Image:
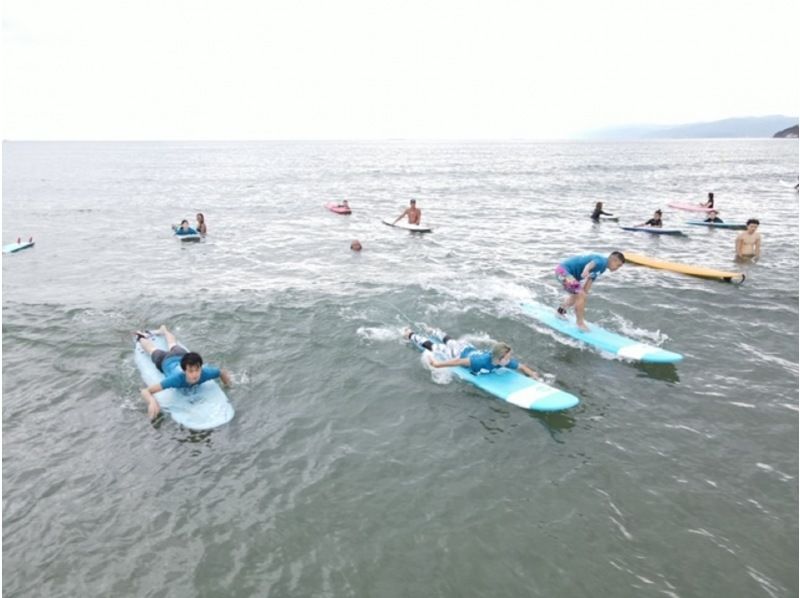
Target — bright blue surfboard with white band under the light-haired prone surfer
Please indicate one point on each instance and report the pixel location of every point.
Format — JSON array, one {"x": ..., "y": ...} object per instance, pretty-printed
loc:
[{"x": 509, "y": 385}]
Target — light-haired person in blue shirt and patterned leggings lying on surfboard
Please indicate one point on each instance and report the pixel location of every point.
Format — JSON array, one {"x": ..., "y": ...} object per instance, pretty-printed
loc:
[{"x": 464, "y": 354}]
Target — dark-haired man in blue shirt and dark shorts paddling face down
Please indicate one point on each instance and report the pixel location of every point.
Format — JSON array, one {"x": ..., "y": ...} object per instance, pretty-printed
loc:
[{"x": 181, "y": 368}]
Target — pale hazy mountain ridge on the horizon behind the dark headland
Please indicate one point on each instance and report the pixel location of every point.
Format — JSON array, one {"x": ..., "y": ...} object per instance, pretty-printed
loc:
[{"x": 758, "y": 126}]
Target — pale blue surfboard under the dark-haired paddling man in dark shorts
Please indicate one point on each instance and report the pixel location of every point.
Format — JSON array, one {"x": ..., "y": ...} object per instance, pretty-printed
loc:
[{"x": 201, "y": 407}]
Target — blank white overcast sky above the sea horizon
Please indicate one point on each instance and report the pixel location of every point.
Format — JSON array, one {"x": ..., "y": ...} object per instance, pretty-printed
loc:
[{"x": 352, "y": 69}]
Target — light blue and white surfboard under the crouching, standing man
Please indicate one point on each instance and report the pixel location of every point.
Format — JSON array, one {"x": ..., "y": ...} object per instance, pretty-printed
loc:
[{"x": 599, "y": 338}]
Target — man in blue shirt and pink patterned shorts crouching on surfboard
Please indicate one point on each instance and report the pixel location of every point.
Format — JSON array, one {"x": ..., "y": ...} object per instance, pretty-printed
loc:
[{"x": 577, "y": 274}]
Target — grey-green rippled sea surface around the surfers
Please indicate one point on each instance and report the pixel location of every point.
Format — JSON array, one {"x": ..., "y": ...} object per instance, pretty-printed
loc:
[{"x": 349, "y": 469}]
